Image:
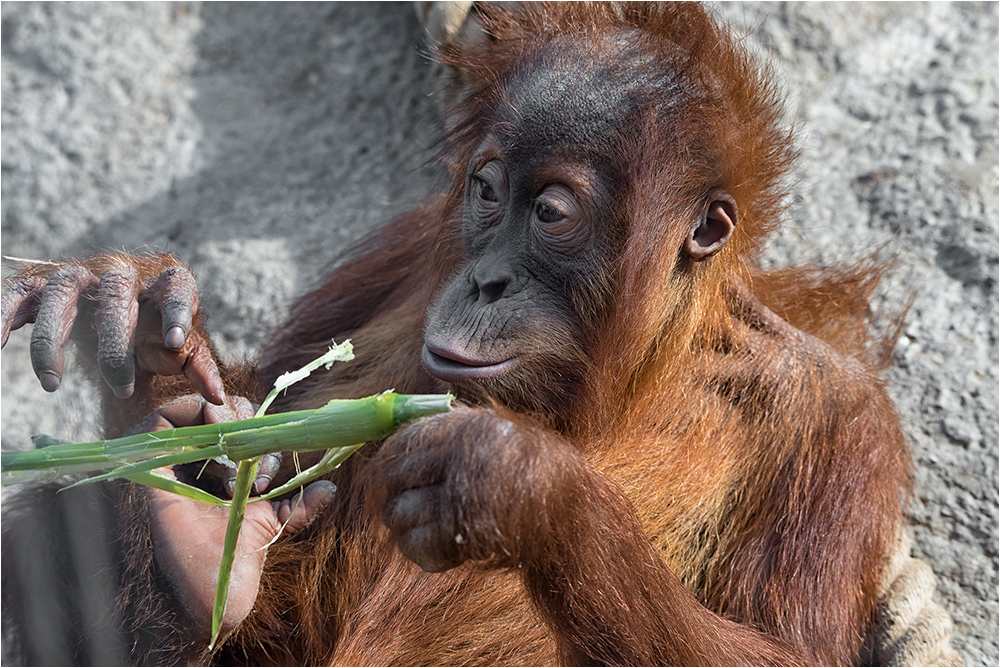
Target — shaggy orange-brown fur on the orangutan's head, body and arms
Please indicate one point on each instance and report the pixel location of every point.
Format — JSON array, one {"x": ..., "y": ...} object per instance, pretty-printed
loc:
[{"x": 744, "y": 468}]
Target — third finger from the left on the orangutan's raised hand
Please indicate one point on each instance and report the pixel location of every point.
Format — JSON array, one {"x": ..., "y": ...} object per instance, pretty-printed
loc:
[{"x": 116, "y": 320}]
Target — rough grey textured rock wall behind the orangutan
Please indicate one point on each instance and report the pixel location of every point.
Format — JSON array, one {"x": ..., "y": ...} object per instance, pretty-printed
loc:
[{"x": 257, "y": 140}]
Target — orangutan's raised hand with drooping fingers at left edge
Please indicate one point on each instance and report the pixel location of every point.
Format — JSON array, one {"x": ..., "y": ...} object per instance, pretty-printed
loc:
[{"x": 128, "y": 313}]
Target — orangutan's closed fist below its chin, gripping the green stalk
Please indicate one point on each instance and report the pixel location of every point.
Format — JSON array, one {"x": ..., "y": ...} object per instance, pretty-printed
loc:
[{"x": 472, "y": 485}]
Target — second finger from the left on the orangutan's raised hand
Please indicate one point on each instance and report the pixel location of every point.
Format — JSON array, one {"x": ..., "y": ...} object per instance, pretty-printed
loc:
[{"x": 54, "y": 321}]
